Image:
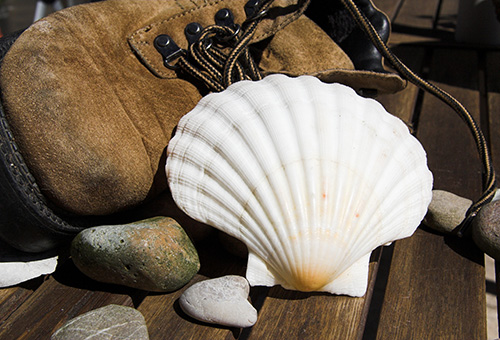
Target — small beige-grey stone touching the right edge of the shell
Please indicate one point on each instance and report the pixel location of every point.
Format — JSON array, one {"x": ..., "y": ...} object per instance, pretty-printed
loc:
[{"x": 446, "y": 211}]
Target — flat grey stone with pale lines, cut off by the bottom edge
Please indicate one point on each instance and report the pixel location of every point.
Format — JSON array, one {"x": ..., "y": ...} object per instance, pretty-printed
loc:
[{"x": 112, "y": 322}]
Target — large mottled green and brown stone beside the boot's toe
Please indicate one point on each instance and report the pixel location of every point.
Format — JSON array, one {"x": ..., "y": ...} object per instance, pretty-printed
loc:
[{"x": 153, "y": 254}]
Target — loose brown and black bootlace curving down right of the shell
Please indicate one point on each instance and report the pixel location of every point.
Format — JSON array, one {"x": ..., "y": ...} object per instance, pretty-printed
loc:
[{"x": 489, "y": 178}]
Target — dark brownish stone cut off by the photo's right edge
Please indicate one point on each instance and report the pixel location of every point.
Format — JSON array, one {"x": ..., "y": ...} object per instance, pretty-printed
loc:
[{"x": 486, "y": 229}]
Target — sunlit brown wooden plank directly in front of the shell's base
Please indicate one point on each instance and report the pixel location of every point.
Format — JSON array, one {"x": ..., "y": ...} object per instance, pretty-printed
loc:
[{"x": 297, "y": 315}]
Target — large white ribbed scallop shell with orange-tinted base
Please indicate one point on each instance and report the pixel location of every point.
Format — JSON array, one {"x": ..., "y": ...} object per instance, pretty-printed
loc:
[{"x": 310, "y": 176}]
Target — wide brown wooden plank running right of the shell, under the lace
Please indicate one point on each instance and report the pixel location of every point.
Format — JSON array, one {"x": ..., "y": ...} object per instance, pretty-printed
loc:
[{"x": 436, "y": 284}]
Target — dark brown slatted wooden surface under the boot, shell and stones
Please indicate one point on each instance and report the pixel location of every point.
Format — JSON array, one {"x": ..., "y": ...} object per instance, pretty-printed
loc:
[{"x": 428, "y": 286}]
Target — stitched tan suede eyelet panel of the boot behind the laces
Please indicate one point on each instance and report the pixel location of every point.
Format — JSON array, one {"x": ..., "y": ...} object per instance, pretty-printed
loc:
[{"x": 173, "y": 23}]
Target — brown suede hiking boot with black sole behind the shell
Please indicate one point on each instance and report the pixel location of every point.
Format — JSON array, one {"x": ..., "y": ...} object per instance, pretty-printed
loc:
[{"x": 91, "y": 96}]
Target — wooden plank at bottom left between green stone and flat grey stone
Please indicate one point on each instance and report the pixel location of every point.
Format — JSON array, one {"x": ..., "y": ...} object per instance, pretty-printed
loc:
[{"x": 63, "y": 296}]
